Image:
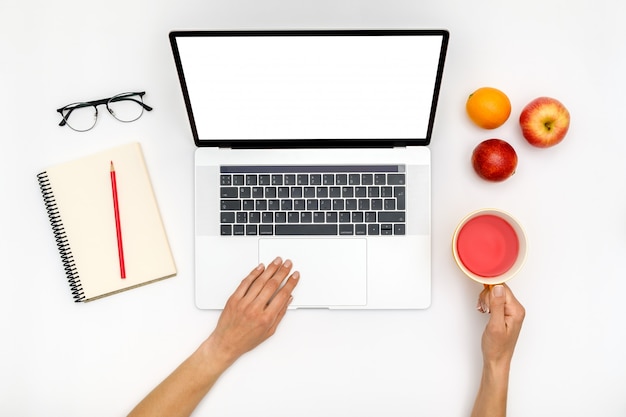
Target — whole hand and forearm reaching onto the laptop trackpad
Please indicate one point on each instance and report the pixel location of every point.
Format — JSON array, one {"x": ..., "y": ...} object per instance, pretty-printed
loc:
[{"x": 250, "y": 316}]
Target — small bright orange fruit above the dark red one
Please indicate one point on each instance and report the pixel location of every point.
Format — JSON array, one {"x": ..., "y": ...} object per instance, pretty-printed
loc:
[{"x": 488, "y": 107}]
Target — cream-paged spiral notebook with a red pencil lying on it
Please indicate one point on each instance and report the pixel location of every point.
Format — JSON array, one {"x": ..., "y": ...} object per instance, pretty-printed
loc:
[{"x": 79, "y": 199}]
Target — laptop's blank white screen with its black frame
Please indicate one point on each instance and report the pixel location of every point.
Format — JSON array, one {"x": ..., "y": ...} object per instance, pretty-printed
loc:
[{"x": 310, "y": 88}]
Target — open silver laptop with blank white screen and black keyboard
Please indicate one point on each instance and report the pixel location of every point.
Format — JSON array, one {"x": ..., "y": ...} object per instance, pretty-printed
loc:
[{"x": 312, "y": 146}]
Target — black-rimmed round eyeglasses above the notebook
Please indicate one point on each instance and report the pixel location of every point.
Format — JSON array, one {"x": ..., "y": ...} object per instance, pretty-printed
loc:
[{"x": 125, "y": 107}]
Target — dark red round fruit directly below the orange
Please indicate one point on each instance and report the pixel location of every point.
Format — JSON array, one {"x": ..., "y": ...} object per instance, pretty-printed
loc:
[{"x": 494, "y": 160}]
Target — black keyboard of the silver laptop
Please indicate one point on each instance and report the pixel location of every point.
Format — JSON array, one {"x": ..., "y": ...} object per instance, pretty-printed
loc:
[{"x": 312, "y": 200}]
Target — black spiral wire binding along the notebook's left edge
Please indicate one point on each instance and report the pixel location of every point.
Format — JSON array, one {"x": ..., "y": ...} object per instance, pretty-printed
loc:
[{"x": 61, "y": 238}]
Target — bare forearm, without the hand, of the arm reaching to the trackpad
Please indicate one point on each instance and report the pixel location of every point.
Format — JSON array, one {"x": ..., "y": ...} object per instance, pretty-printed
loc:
[{"x": 181, "y": 392}]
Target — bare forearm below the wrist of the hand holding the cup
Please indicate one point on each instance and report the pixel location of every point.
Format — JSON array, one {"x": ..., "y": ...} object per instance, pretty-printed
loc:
[{"x": 492, "y": 394}]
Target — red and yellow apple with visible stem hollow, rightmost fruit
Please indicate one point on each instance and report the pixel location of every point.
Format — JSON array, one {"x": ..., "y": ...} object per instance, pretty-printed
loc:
[{"x": 544, "y": 122}]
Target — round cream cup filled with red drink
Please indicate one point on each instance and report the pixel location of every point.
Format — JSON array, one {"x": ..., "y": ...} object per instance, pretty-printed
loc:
[{"x": 489, "y": 246}]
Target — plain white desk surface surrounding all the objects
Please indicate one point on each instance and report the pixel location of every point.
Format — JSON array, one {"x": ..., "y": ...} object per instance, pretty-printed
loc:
[{"x": 101, "y": 358}]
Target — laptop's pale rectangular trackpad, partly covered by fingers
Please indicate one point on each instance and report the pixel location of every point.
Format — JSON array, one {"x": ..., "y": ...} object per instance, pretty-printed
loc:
[{"x": 332, "y": 271}]
